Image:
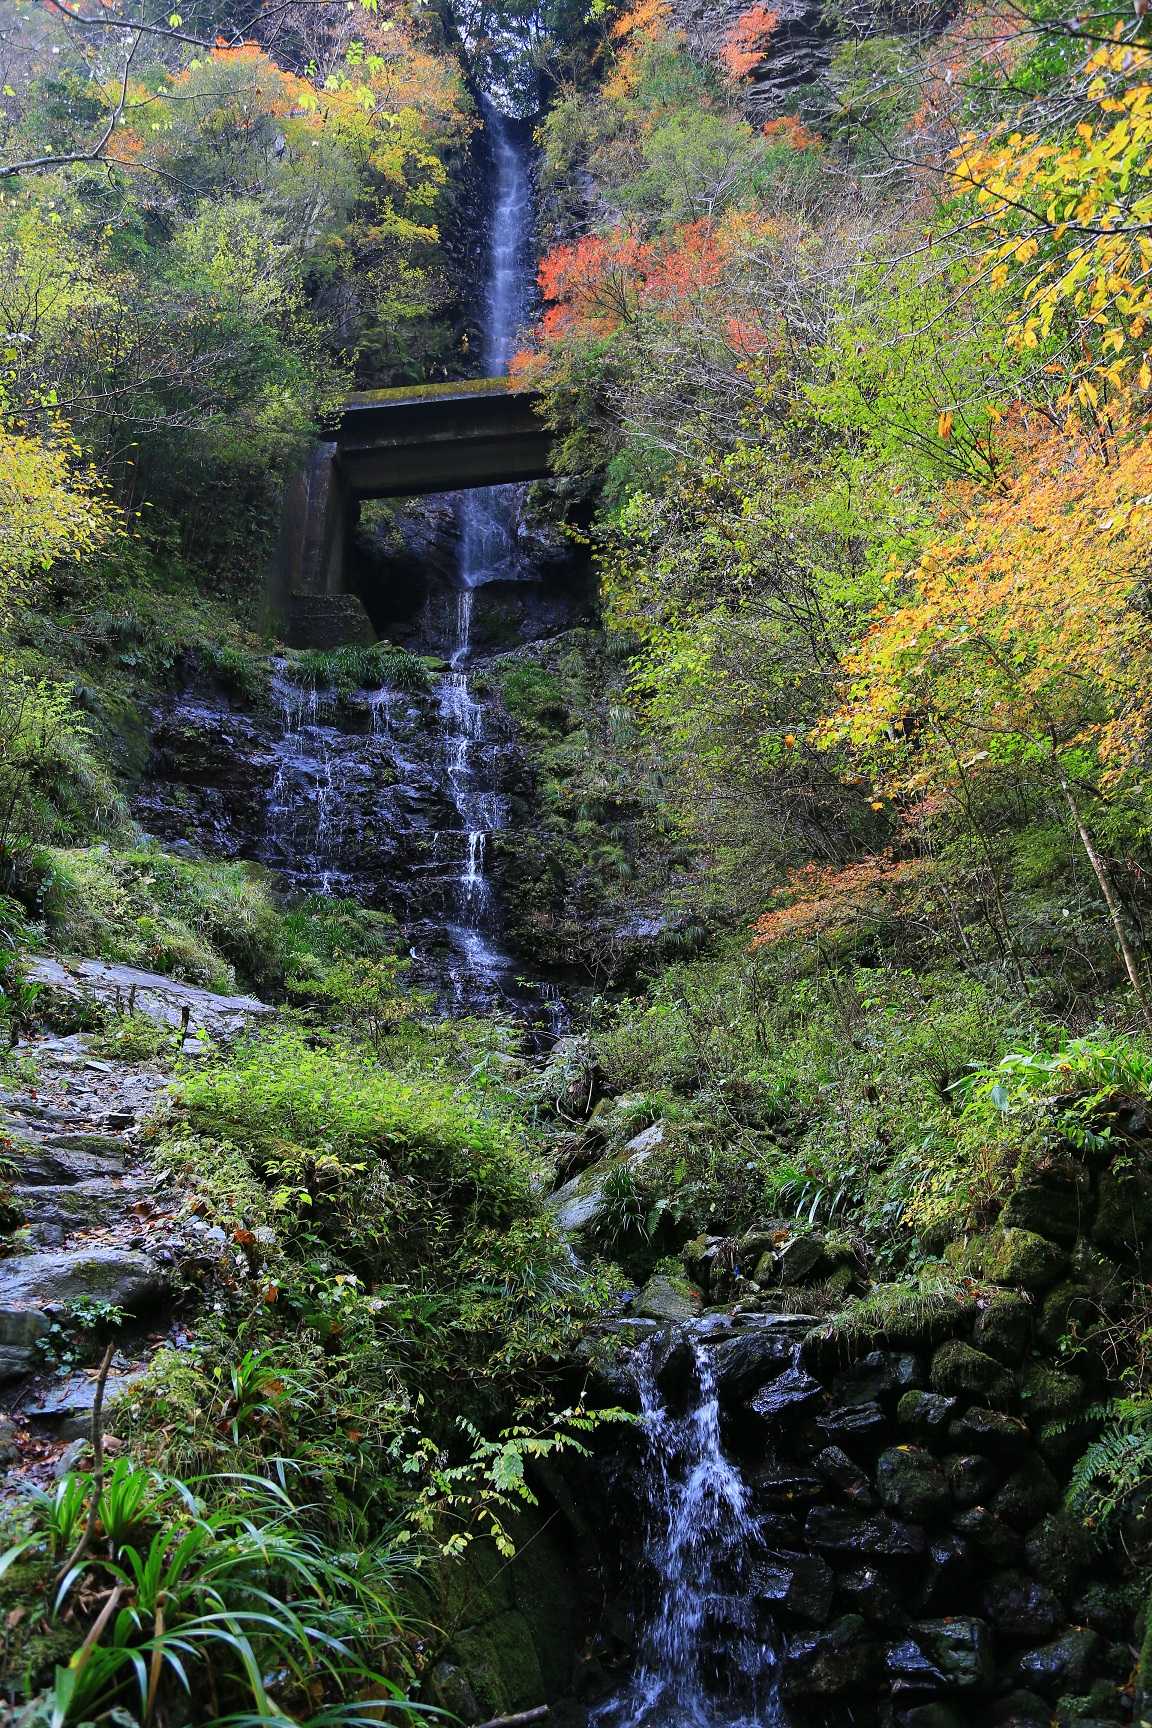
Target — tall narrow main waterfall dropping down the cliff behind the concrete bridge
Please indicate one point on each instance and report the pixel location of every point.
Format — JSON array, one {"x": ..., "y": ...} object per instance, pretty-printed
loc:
[{"x": 488, "y": 535}]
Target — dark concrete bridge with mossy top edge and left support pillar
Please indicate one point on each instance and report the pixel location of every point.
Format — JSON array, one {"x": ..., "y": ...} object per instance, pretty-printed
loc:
[{"x": 438, "y": 438}]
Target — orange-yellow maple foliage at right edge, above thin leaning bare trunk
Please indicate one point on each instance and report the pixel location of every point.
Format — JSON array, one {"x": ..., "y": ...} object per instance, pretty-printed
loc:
[{"x": 1025, "y": 626}]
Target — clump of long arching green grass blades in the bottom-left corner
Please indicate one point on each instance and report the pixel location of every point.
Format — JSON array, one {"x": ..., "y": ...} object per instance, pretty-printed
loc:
[{"x": 220, "y": 1589}]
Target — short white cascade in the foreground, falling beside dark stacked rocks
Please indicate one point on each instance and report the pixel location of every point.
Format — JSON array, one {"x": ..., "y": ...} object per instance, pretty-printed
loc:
[{"x": 702, "y": 1661}]
